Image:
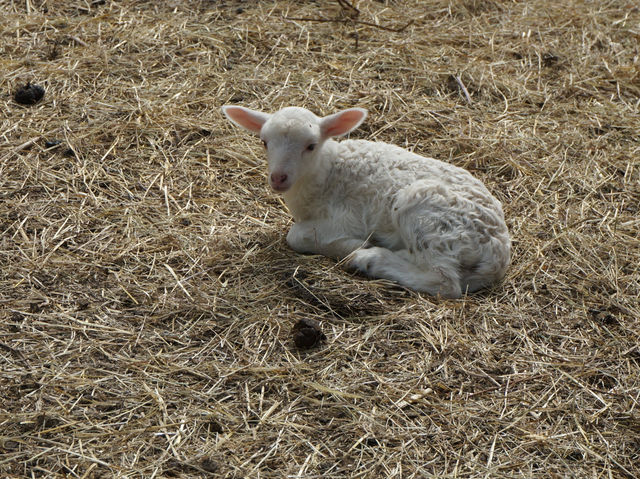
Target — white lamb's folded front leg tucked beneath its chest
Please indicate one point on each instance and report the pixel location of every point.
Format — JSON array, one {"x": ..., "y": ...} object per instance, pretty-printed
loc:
[{"x": 322, "y": 238}]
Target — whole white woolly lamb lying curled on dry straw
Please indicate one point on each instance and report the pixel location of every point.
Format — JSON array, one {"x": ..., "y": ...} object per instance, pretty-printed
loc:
[{"x": 387, "y": 212}]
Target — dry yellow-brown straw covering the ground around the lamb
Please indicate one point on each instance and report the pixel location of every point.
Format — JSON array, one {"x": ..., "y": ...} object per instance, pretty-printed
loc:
[{"x": 147, "y": 294}]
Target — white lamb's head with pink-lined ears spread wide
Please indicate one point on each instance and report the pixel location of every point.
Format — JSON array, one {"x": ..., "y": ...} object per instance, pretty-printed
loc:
[{"x": 293, "y": 138}]
